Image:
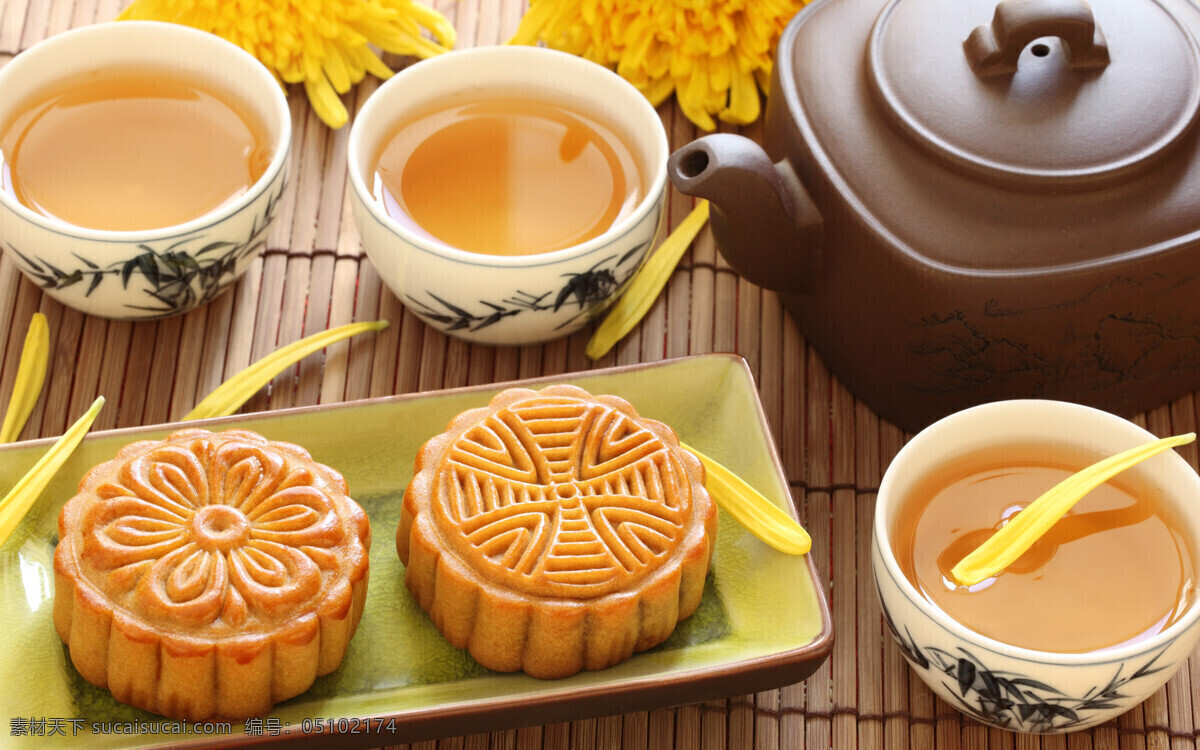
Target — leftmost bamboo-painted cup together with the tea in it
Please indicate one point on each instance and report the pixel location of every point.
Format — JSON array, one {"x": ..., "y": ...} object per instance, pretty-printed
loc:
[{"x": 136, "y": 271}]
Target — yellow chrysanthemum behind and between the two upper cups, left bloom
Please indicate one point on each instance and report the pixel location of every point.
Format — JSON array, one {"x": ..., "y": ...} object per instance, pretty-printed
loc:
[{"x": 322, "y": 44}]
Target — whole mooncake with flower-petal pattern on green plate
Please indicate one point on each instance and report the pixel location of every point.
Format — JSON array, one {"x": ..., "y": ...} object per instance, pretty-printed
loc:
[{"x": 209, "y": 575}]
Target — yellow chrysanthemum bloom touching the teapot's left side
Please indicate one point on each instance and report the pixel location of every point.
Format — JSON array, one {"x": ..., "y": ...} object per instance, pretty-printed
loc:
[{"x": 715, "y": 55}]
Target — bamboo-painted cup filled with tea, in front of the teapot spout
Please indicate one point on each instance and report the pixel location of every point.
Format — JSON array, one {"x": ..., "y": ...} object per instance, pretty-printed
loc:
[{"x": 494, "y": 256}]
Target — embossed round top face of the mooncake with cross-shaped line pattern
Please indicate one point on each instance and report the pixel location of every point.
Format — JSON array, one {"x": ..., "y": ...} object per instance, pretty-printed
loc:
[{"x": 562, "y": 497}]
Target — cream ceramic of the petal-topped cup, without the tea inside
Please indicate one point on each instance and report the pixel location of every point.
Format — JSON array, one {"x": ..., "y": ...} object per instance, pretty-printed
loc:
[{"x": 1016, "y": 688}]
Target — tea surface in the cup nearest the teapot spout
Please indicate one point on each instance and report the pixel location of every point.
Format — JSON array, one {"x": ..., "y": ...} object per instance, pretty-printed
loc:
[{"x": 509, "y": 177}]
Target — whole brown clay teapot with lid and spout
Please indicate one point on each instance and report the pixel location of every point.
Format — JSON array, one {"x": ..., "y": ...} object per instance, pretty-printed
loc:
[{"x": 962, "y": 202}]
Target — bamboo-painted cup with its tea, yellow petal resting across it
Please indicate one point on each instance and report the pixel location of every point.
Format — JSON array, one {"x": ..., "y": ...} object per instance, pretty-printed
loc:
[{"x": 1095, "y": 619}]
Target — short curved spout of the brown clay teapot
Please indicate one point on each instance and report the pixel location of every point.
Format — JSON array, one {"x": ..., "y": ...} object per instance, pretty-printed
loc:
[{"x": 763, "y": 219}]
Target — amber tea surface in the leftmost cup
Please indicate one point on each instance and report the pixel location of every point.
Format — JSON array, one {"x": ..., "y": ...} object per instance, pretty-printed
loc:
[{"x": 127, "y": 151}]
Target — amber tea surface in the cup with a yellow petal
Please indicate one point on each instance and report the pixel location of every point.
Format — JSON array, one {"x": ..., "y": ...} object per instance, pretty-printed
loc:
[{"x": 1112, "y": 572}]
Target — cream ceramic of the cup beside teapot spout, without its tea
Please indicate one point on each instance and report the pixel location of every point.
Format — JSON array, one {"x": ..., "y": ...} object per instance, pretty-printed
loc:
[{"x": 508, "y": 299}]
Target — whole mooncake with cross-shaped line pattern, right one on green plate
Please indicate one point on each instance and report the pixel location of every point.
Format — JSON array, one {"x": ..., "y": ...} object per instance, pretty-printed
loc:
[{"x": 556, "y": 531}]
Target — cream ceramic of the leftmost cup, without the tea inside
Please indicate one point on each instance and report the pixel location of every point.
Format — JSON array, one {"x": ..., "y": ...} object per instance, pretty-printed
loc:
[{"x": 154, "y": 273}]
